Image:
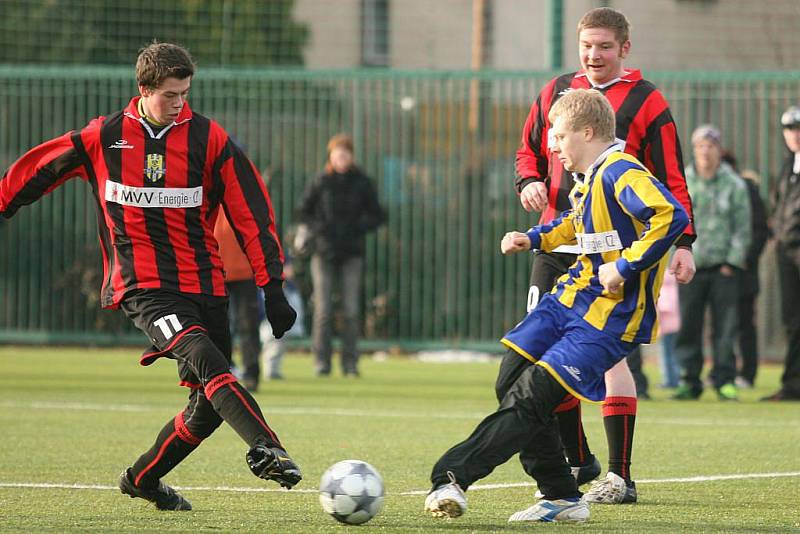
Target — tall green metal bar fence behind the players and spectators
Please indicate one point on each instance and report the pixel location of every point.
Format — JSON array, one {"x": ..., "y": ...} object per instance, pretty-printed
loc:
[{"x": 439, "y": 145}]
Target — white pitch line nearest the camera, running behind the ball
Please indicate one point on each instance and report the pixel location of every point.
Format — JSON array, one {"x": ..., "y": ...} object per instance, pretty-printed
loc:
[{"x": 477, "y": 487}]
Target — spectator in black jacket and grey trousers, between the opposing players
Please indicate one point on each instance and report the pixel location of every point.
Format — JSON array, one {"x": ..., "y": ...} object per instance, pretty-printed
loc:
[{"x": 338, "y": 207}]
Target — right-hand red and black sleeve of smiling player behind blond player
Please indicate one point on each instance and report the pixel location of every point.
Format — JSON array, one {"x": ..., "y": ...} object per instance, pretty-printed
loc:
[{"x": 664, "y": 158}]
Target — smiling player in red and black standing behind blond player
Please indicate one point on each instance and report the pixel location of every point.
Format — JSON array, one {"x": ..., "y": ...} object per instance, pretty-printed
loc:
[{"x": 645, "y": 127}]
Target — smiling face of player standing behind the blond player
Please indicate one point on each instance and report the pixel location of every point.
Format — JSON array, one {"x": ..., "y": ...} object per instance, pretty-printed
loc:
[{"x": 601, "y": 54}]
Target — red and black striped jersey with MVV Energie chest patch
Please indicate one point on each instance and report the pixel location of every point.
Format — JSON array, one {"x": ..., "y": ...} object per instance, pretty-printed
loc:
[{"x": 158, "y": 192}]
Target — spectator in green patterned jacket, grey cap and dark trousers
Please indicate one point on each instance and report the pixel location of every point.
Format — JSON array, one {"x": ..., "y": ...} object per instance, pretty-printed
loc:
[{"x": 722, "y": 219}]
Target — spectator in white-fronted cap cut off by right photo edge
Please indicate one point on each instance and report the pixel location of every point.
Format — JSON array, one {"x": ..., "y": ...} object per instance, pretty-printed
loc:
[{"x": 786, "y": 226}]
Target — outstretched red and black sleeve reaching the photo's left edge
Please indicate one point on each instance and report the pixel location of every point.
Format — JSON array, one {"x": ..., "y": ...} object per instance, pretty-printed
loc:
[{"x": 39, "y": 171}]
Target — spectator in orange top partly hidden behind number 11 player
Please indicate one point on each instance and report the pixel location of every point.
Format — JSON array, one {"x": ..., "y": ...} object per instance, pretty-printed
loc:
[{"x": 244, "y": 300}]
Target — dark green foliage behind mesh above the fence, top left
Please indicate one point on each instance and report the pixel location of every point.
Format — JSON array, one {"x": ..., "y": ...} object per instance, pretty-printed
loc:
[{"x": 218, "y": 32}]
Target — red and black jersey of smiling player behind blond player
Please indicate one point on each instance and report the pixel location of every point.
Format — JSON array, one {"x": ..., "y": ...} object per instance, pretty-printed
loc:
[{"x": 644, "y": 124}]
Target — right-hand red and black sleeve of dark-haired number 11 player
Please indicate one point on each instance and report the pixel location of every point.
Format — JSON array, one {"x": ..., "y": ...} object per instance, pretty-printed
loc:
[{"x": 249, "y": 210}]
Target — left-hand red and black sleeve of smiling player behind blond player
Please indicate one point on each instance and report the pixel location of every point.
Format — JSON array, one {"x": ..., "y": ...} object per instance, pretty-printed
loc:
[{"x": 531, "y": 162}]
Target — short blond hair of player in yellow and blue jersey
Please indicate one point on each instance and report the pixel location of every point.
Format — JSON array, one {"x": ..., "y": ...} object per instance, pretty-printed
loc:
[{"x": 582, "y": 108}]
